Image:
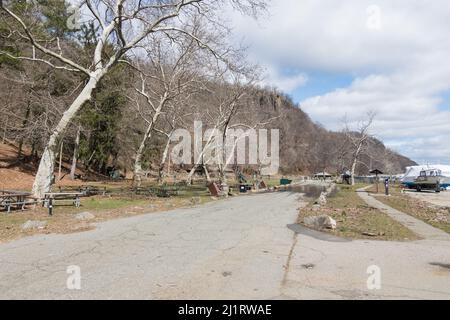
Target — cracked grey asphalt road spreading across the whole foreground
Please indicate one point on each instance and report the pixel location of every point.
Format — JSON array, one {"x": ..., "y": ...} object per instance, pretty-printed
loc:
[{"x": 240, "y": 248}]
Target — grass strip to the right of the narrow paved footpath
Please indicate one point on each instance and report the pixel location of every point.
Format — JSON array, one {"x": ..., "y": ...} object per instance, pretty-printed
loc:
[{"x": 437, "y": 217}]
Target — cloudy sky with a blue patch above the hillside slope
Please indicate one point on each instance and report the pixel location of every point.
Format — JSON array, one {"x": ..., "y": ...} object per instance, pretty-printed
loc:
[{"x": 340, "y": 58}]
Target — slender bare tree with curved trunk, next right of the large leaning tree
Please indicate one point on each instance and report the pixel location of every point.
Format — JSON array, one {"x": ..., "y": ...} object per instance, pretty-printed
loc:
[{"x": 170, "y": 76}]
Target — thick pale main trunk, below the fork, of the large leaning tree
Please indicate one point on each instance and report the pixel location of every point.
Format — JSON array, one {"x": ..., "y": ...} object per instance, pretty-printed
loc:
[{"x": 42, "y": 181}]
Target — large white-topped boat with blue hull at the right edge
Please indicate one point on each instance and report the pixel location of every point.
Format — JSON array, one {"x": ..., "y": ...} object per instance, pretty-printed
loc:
[{"x": 411, "y": 177}]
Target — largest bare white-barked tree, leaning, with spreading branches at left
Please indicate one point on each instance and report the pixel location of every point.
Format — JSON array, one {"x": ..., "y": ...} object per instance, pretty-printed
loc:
[{"x": 123, "y": 25}]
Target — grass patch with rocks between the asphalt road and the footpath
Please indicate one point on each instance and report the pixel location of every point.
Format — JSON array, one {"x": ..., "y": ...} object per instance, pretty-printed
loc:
[{"x": 355, "y": 218}]
